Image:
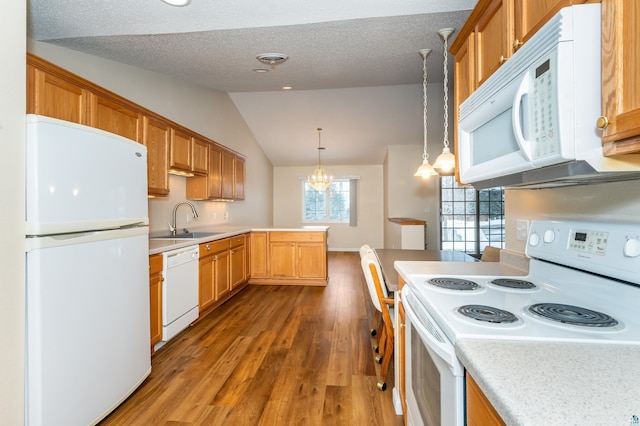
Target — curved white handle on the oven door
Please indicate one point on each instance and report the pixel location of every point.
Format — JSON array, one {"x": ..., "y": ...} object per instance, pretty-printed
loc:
[{"x": 431, "y": 334}]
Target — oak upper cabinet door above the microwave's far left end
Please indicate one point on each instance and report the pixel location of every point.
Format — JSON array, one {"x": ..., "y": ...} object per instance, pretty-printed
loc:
[{"x": 494, "y": 33}]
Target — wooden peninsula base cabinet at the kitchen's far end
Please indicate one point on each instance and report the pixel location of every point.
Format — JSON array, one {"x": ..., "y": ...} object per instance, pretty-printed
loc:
[{"x": 289, "y": 257}]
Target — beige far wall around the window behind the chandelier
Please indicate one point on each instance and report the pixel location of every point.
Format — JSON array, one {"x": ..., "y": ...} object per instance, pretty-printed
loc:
[{"x": 288, "y": 204}]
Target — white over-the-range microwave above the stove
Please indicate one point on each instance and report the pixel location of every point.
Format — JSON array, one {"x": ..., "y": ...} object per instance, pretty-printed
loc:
[{"x": 533, "y": 122}]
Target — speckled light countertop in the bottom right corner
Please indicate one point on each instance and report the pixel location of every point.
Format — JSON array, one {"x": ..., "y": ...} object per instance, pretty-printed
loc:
[{"x": 549, "y": 383}]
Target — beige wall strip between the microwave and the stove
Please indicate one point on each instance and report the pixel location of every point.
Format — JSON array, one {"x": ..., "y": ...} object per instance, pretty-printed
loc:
[{"x": 608, "y": 202}]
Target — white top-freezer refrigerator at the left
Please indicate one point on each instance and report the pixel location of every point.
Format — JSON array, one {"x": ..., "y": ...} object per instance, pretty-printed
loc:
[{"x": 87, "y": 272}]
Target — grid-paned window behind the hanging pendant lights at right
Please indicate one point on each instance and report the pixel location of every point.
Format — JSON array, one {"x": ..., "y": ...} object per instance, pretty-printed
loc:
[{"x": 470, "y": 219}]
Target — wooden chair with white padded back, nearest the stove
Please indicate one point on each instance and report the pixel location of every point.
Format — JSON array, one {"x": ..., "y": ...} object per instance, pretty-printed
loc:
[{"x": 383, "y": 304}]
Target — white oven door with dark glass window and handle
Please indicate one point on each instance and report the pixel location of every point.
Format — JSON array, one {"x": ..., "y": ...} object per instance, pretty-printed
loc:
[{"x": 434, "y": 376}]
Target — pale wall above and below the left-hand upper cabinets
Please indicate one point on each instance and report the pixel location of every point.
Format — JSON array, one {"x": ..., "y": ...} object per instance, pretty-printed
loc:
[{"x": 208, "y": 112}]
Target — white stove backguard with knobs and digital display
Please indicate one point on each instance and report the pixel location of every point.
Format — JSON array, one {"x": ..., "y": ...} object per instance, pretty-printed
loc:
[{"x": 603, "y": 248}]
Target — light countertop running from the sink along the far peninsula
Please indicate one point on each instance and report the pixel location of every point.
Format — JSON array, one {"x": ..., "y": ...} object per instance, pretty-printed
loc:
[{"x": 225, "y": 231}]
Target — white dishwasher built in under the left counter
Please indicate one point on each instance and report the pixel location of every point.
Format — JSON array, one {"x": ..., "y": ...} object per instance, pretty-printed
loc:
[{"x": 179, "y": 291}]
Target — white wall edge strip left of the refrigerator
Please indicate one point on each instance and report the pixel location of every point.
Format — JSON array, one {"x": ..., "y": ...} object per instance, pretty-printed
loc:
[{"x": 12, "y": 107}]
